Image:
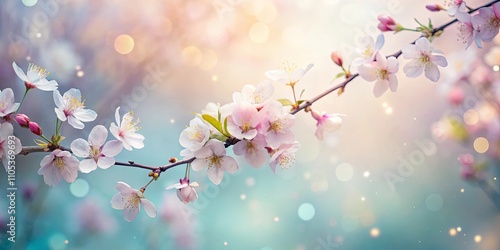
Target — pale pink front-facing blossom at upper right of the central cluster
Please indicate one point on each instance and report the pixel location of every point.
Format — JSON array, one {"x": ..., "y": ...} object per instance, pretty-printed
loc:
[{"x": 276, "y": 125}]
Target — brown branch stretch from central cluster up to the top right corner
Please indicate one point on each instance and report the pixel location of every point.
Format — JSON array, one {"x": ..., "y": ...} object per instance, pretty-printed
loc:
[{"x": 398, "y": 53}]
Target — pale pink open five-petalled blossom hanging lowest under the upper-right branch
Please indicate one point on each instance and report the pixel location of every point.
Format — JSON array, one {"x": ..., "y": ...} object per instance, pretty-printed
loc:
[{"x": 423, "y": 58}]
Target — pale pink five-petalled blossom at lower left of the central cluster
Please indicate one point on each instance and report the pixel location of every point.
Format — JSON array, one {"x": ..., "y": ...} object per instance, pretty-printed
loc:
[{"x": 213, "y": 157}]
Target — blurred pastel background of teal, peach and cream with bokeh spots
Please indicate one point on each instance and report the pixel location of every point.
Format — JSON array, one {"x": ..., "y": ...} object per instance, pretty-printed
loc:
[{"x": 166, "y": 60}]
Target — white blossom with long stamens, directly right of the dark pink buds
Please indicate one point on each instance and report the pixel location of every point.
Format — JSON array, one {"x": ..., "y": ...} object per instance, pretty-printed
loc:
[{"x": 71, "y": 107}]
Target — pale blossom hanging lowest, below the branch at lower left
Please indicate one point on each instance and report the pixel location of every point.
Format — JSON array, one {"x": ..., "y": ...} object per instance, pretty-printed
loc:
[{"x": 129, "y": 200}]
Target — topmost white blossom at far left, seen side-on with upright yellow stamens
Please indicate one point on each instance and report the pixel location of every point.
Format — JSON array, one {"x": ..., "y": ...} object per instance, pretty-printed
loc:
[{"x": 35, "y": 77}]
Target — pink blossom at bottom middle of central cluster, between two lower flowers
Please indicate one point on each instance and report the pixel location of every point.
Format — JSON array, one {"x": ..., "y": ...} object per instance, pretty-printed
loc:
[{"x": 254, "y": 150}]
